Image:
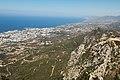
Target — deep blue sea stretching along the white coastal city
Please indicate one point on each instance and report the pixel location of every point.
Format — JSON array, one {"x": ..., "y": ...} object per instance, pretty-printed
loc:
[{"x": 8, "y": 23}]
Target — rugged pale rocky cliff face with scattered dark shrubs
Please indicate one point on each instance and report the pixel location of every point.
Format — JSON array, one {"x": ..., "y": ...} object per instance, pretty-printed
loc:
[{"x": 97, "y": 58}]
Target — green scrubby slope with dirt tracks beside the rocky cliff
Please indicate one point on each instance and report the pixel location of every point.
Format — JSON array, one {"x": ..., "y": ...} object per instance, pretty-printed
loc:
[{"x": 45, "y": 63}]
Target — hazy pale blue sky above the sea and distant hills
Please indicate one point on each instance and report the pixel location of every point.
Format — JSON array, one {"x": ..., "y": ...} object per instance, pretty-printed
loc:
[{"x": 64, "y": 8}]
